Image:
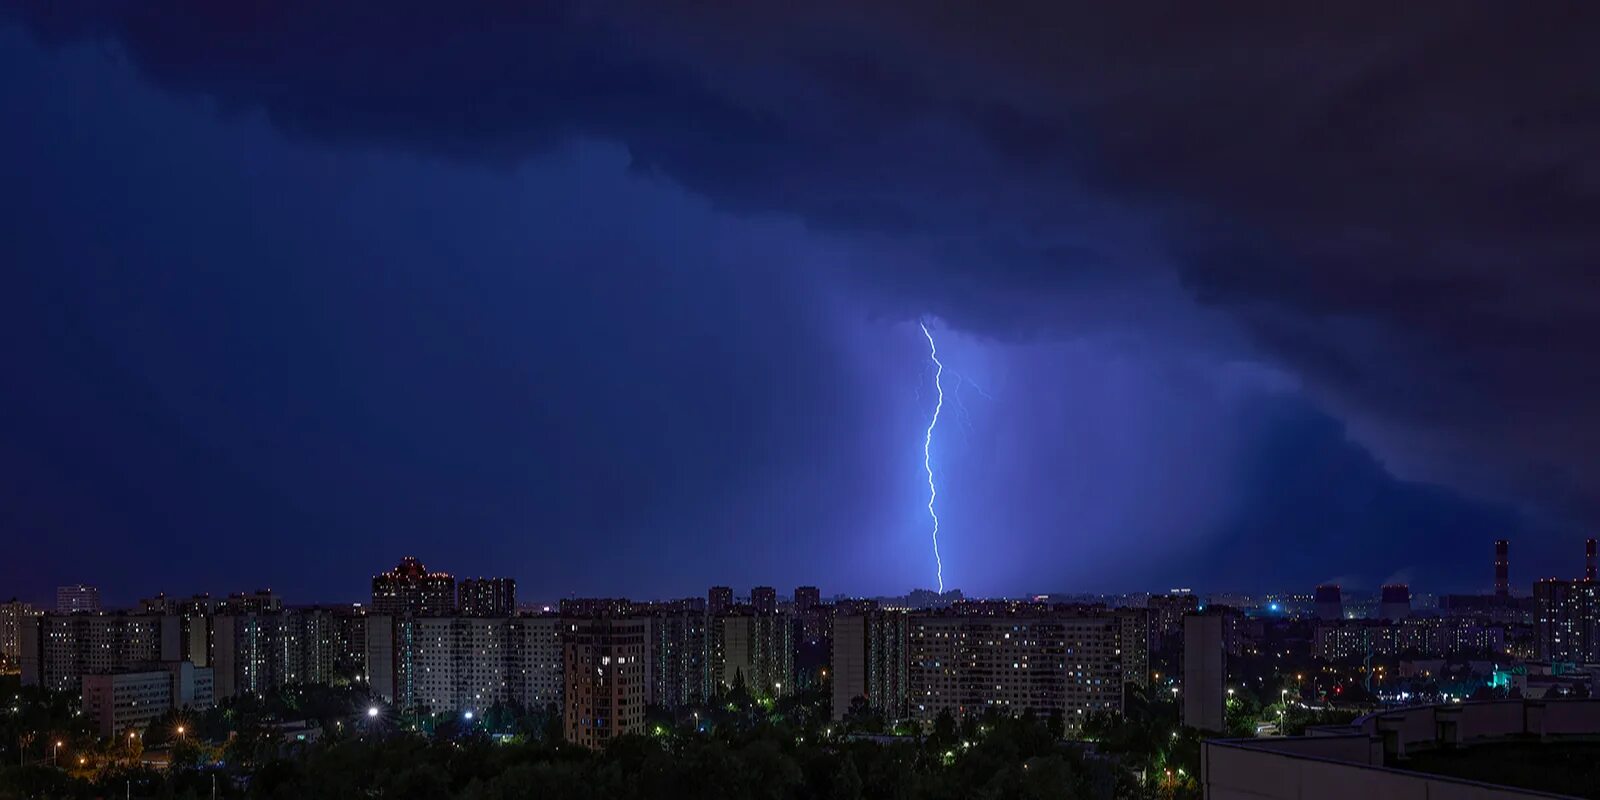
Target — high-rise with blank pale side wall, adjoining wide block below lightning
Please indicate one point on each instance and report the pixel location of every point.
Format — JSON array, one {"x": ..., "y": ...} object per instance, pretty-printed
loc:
[{"x": 871, "y": 662}]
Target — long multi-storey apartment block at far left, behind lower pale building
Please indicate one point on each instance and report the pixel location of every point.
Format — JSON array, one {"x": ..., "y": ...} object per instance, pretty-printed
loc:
[{"x": 58, "y": 650}]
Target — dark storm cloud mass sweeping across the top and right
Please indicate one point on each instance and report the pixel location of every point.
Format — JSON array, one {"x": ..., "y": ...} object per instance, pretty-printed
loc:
[{"x": 1398, "y": 202}]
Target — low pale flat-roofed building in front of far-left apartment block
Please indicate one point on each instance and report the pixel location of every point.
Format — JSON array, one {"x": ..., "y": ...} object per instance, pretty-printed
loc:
[{"x": 129, "y": 702}]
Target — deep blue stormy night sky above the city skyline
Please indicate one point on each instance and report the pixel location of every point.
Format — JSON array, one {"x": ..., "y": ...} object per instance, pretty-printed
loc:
[{"x": 620, "y": 302}]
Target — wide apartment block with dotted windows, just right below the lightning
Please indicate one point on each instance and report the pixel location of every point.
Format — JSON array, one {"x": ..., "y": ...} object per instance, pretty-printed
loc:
[{"x": 1044, "y": 662}]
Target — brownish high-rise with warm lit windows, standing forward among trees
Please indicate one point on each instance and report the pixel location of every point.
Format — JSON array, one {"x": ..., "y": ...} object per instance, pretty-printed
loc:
[{"x": 606, "y": 681}]
